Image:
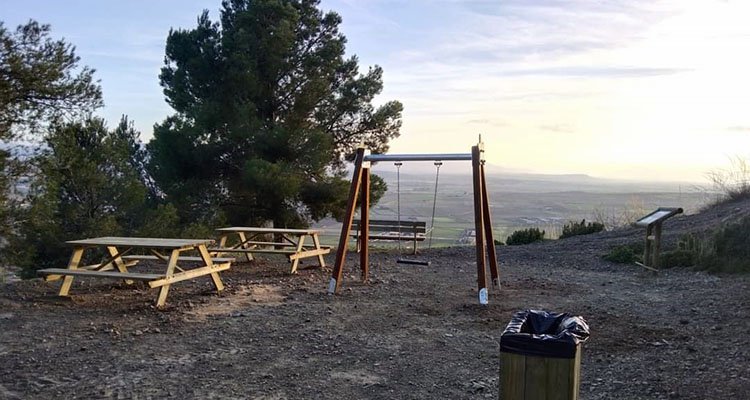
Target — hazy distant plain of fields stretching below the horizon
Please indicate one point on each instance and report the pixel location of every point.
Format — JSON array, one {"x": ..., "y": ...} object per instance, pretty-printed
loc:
[{"x": 520, "y": 201}]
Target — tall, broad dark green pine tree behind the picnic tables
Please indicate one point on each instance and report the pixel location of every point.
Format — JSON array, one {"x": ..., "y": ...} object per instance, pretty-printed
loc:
[{"x": 267, "y": 109}]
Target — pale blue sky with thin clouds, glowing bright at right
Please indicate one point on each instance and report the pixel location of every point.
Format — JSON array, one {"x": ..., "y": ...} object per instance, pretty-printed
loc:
[{"x": 631, "y": 89}]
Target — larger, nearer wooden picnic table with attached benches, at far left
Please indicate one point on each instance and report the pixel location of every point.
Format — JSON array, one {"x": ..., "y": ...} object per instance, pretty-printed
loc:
[{"x": 167, "y": 250}]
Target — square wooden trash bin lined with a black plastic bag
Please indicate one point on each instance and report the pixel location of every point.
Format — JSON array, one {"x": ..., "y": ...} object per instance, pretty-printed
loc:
[{"x": 540, "y": 354}]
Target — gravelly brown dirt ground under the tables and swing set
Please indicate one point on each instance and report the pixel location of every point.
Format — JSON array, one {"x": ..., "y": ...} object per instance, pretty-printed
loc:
[{"x": 413, "y": 332}]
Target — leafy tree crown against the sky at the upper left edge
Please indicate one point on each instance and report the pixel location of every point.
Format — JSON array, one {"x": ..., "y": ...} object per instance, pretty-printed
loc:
[{"x": 40, "y": 80}]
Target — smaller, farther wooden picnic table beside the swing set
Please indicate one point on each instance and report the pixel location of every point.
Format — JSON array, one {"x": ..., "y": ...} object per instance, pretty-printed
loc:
[{"x": 290, "y": 242}]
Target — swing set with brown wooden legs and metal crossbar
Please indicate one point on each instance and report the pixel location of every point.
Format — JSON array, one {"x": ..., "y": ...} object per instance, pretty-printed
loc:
[{"x": 485, "y": 243}]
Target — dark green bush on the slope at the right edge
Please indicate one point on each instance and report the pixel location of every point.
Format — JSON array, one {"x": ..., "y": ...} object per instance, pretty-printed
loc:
[{"x": 729, "y": 249}]
